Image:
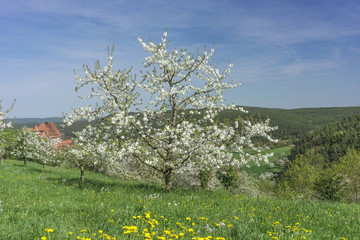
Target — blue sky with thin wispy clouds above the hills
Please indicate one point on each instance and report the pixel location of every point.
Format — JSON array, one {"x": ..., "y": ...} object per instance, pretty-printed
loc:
[{"x": 286, "y": 53}]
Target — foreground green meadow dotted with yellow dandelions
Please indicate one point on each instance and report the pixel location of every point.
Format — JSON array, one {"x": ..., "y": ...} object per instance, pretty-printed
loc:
[{"x": 32, "y": 201}]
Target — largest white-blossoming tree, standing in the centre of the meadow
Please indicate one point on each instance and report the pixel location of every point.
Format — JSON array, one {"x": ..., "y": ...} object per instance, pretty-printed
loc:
[{"x": 175, "y": 131}]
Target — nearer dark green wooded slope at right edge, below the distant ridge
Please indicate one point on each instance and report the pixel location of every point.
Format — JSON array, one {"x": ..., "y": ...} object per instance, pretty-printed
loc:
[{"x": 332, "y": 141}]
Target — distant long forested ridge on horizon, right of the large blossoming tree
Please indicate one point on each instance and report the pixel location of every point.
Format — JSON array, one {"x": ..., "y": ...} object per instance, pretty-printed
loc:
[{"x": 293, "y": 123}]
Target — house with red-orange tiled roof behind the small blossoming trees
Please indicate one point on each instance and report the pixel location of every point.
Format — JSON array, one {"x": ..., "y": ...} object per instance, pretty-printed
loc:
[{"x": 50, "y": 131}]
